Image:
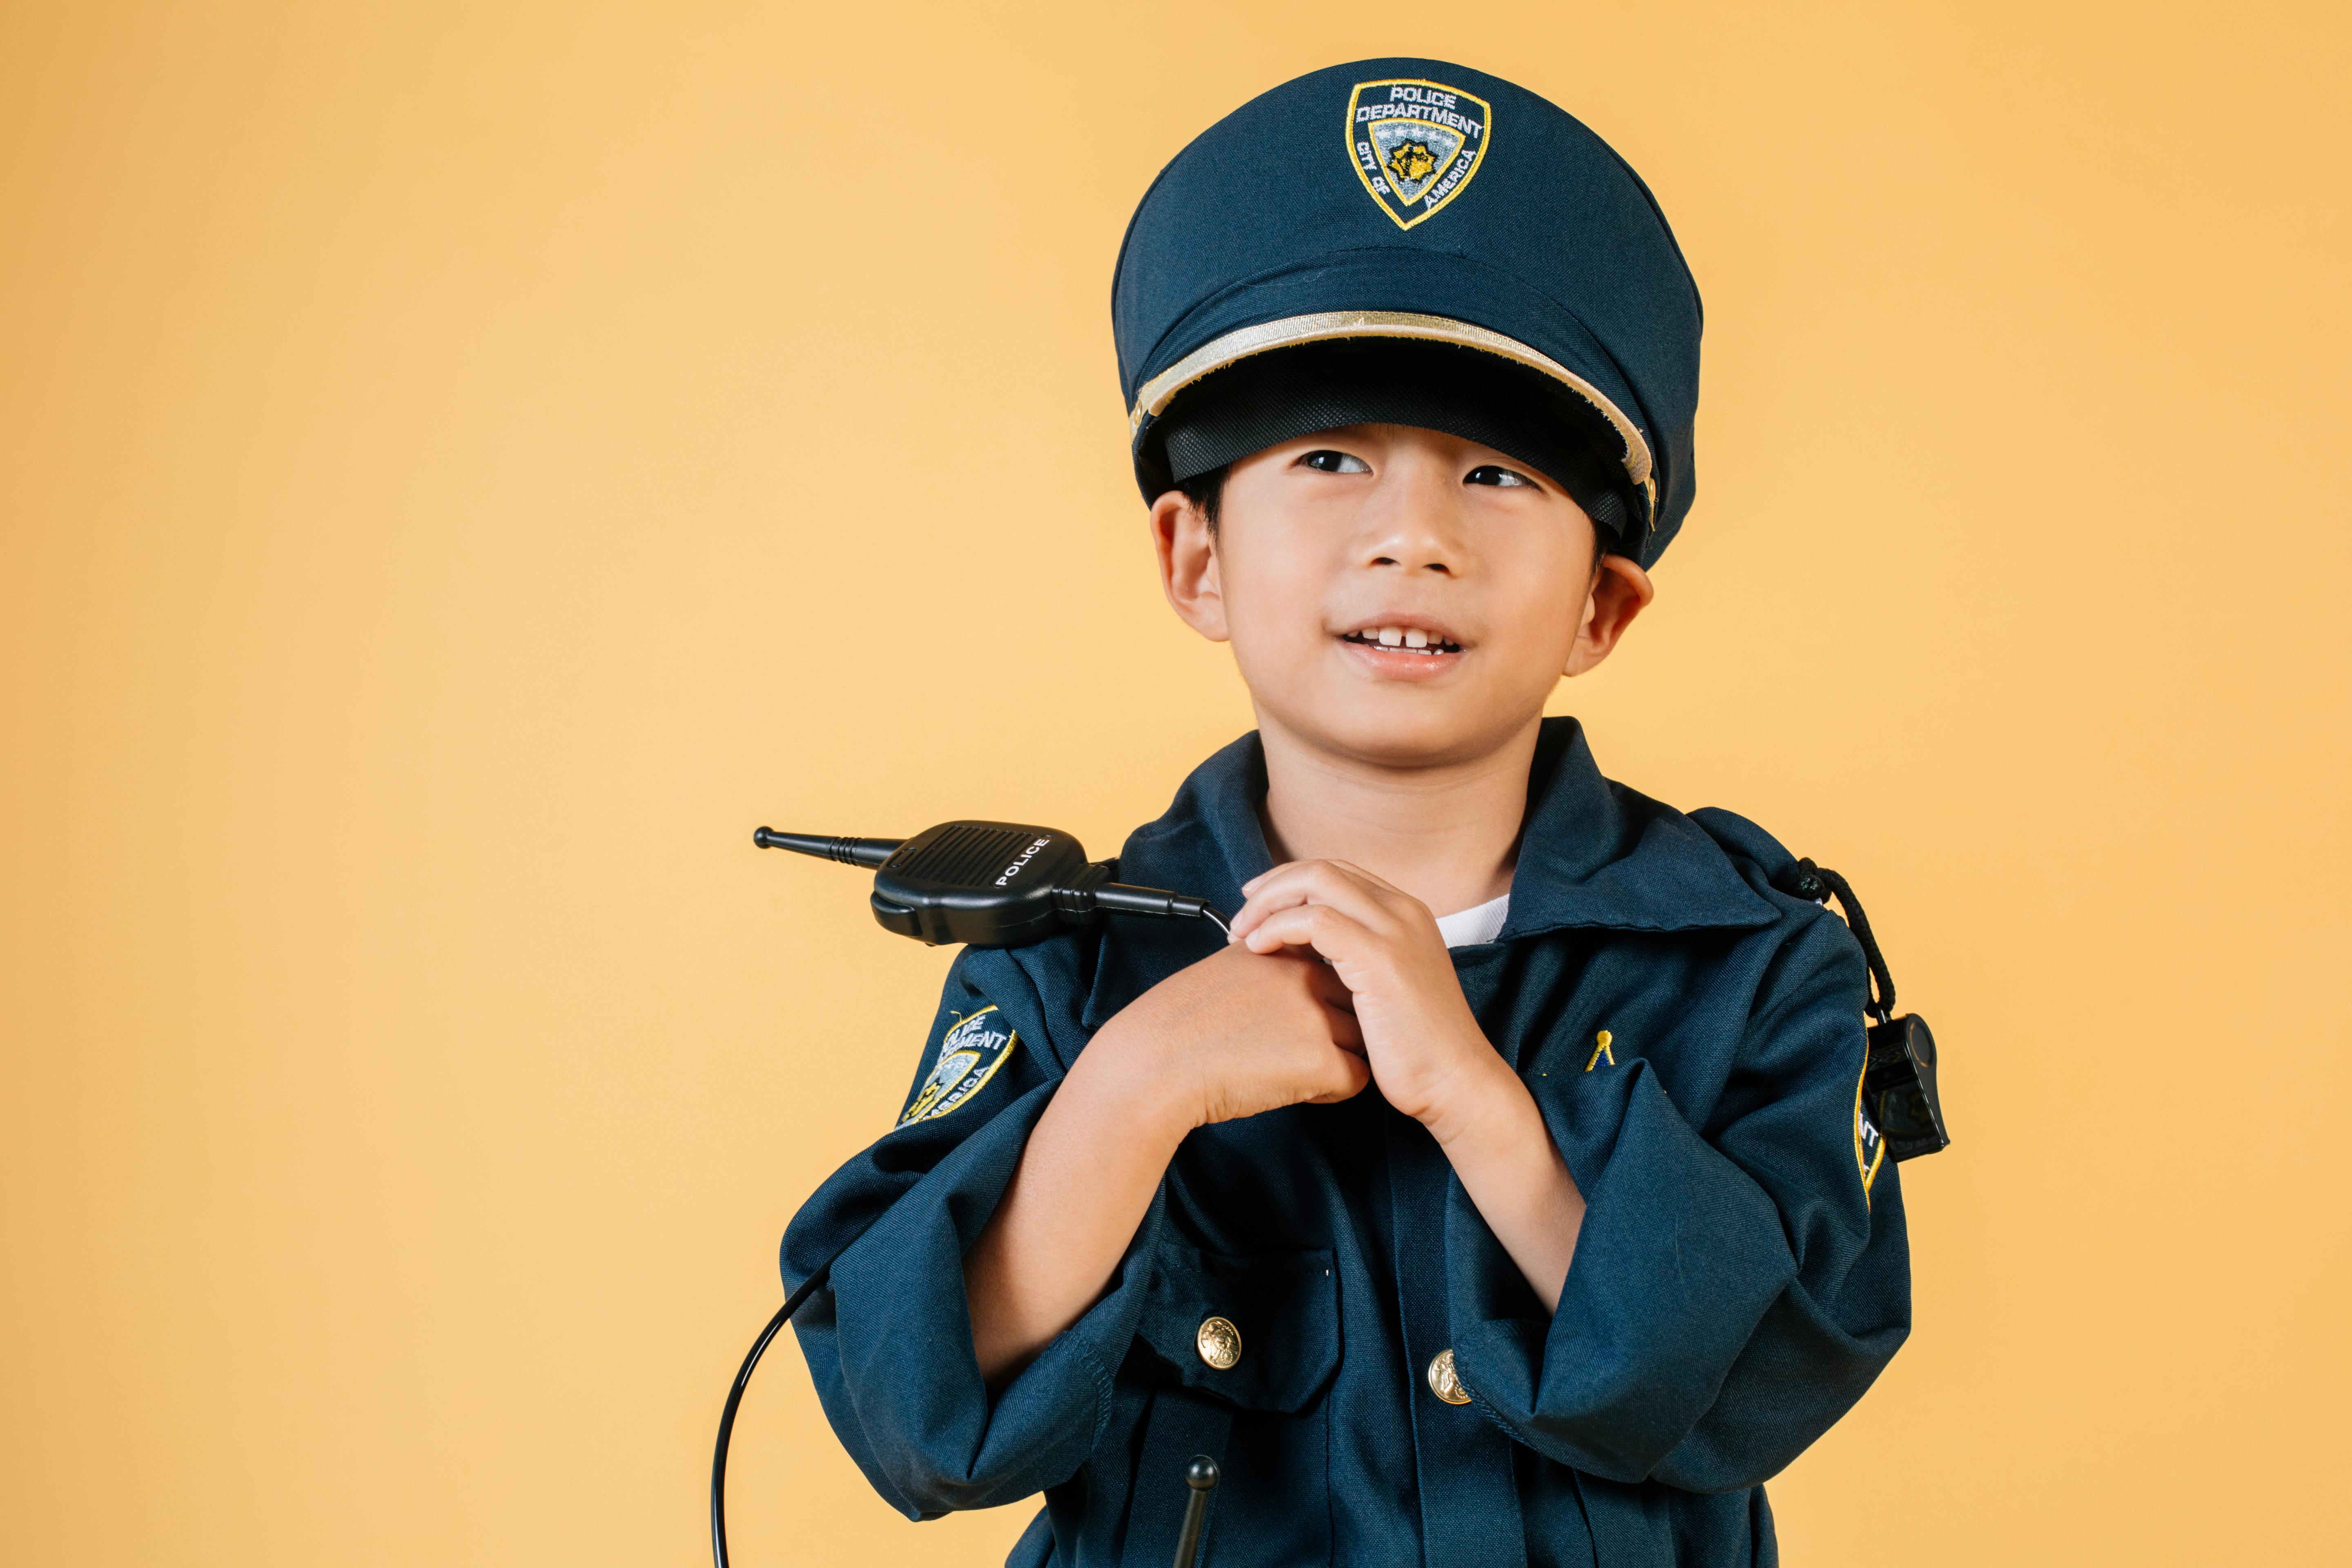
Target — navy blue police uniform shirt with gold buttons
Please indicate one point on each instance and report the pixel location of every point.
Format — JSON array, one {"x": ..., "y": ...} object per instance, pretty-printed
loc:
[{"x": 1697, "y": 1047}]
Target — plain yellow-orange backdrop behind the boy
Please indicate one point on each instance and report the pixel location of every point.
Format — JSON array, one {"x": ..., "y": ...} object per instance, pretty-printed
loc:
[{"x": 462, "y": 467}]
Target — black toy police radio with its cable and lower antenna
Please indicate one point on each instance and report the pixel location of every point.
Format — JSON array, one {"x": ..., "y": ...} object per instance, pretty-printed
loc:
[{"x": 987, "y": 885}]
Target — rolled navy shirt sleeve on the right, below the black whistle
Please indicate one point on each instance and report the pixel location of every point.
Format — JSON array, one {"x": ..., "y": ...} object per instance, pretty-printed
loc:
[{"x": 1732, "y": 1294}]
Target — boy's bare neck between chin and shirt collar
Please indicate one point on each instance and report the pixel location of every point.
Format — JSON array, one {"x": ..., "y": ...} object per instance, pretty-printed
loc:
[{"x": 1443, "y": 833}]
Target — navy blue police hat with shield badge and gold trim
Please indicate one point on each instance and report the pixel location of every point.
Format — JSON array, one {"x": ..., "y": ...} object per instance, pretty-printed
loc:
[{"x": 1403, "y": 241}]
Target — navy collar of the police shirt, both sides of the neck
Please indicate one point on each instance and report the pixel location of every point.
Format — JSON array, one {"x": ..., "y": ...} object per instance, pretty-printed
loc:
[{"x": 1593, "y": 857}]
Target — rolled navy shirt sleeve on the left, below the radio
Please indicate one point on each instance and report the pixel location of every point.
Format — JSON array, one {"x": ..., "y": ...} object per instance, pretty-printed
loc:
[{"x": 890, "y": 1339}]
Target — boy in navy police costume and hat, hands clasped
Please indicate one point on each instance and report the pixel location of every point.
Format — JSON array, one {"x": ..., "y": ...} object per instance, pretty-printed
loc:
[{"x": 1502, "y": 1193}]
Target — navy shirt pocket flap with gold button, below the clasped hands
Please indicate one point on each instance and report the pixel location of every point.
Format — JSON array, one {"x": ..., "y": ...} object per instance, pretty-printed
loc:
[{"x": 1250, "y": 1329}]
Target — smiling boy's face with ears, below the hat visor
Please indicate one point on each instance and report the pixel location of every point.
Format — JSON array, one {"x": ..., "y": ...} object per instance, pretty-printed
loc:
[{"x": 1396, "y": 596}]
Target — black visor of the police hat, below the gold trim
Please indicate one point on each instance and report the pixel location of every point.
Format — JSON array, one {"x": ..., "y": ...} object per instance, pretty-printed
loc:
[{"x": 1398, "y": 382}]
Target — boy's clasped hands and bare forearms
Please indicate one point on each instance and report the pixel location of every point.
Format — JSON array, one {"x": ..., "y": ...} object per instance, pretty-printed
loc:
[{"x": 1335, "y": 981}]
